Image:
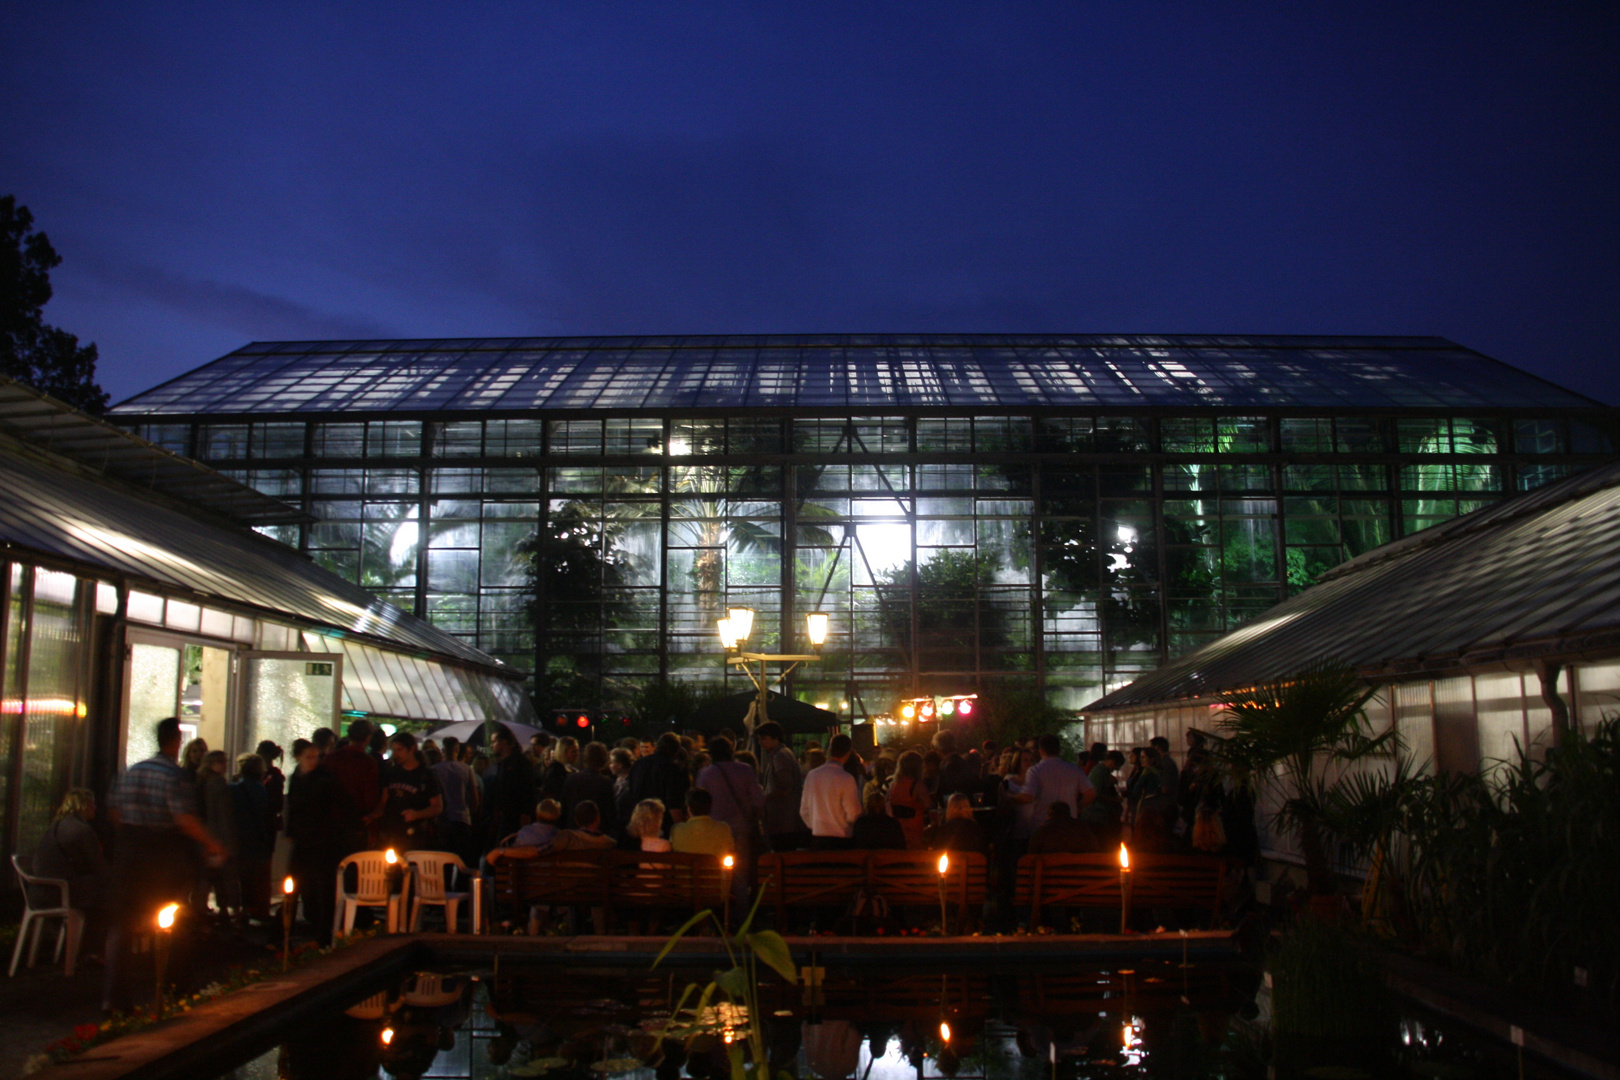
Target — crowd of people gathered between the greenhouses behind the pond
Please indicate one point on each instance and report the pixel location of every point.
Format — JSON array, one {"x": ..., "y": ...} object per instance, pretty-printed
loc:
[{"x": 200, "y": 830}]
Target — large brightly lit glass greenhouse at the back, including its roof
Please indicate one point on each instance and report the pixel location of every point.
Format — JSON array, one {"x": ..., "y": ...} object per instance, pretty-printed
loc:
[{"x": 1054, "y": 512}]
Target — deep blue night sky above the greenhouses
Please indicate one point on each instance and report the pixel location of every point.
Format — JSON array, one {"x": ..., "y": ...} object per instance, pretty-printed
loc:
[{"x": 218, "y": 174}]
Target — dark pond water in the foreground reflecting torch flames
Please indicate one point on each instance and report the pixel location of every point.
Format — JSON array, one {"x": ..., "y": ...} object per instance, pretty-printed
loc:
[{"x": 1146, "y": 1019}]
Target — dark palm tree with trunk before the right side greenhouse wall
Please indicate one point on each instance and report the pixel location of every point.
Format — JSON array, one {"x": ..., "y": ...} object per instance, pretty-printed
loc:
[{"x": 1290, "y": 738}]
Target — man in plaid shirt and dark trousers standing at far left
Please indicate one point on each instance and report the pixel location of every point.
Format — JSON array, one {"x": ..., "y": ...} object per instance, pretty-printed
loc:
[{"x": 156, "y": 851}]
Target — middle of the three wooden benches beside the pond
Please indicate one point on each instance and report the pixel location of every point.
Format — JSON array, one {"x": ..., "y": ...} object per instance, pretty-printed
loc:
[{"x": 811, "y": 880}]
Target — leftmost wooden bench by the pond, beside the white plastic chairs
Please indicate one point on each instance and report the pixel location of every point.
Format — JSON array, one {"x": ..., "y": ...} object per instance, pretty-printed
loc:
[{"x": 610, "y": 880}]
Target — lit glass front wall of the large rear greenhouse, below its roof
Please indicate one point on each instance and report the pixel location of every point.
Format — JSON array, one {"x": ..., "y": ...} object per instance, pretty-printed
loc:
[{"x": 1062, "y": 551}]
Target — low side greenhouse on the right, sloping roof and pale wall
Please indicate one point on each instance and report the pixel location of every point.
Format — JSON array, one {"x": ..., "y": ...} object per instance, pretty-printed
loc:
[{"x": 1483, "y": 636}]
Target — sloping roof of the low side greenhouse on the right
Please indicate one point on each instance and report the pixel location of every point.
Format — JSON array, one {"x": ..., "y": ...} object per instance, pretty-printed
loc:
[{"x": 1538, "y": 576}]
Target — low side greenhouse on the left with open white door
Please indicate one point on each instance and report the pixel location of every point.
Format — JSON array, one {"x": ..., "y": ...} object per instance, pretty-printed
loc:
[{"x": 134, "y": 589}]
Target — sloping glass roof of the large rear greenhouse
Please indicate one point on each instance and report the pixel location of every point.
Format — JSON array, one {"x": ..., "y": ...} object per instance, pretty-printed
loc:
[{"x": 850, "y": 373}]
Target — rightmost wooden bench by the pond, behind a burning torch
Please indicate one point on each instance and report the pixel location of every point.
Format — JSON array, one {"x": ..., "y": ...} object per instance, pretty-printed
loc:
[{"x": 1093, "y": 882}]
